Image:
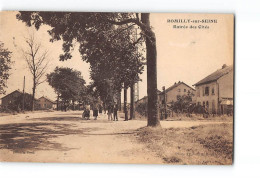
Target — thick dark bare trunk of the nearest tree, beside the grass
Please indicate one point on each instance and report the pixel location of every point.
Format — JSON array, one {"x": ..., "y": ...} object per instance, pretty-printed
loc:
[{"x": 151, "y": 56}]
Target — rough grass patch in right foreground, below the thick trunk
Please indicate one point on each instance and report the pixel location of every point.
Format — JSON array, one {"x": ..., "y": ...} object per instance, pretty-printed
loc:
[{"x": 210, "y": 144}]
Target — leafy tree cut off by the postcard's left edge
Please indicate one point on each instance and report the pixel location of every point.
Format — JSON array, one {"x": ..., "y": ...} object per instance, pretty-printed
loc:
[{"x": 5, "y": 66}]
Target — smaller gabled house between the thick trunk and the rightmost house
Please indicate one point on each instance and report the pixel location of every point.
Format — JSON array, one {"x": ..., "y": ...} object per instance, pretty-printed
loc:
[{"x": 176, "y": 90}]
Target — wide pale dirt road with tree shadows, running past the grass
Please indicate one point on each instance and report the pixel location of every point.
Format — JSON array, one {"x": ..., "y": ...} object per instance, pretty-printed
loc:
[{"x": 66, "y": 137}]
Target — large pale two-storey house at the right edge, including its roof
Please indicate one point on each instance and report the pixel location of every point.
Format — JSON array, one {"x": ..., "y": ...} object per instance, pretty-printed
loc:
[{"x": 215, "y": 91}]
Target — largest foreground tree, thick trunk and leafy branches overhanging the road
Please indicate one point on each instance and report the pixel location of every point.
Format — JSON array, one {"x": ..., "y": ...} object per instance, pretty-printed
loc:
[{"x": 86, "y": 27}]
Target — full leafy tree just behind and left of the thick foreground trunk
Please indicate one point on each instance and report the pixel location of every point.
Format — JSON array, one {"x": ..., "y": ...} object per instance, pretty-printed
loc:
[{"x": 119, "y": 63}]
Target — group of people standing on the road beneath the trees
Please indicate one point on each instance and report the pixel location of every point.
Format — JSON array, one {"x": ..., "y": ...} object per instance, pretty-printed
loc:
[{"x": 111, "y": 112}]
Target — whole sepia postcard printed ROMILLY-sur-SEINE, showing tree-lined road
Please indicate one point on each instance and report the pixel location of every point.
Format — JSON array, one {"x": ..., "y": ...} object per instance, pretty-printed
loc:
[{"x": 127, "y": 88}]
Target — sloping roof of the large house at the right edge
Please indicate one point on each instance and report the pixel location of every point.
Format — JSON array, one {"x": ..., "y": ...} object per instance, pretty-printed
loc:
[{"x": 215, "y": 76}]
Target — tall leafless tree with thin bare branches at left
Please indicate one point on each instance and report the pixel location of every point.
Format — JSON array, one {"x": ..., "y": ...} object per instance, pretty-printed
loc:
[{"x": 37, "y": 62}]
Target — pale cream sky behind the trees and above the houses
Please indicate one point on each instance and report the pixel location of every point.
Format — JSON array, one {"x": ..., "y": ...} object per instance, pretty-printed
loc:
[{"x": 186, "y": 55}]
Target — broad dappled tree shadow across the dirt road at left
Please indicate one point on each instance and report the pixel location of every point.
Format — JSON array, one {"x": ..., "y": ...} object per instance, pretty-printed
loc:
[{"x": 29, "y": 137}]
